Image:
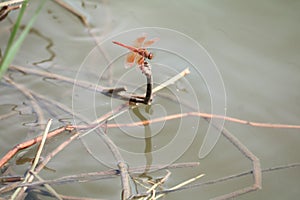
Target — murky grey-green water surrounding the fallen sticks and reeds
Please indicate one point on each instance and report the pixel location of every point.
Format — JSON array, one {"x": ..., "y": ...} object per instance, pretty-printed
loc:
[{"x": 255, "y": 46}]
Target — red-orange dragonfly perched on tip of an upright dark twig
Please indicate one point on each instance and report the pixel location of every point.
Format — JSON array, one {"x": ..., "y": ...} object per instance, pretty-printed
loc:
[{"x": 138, "y": 52}]
